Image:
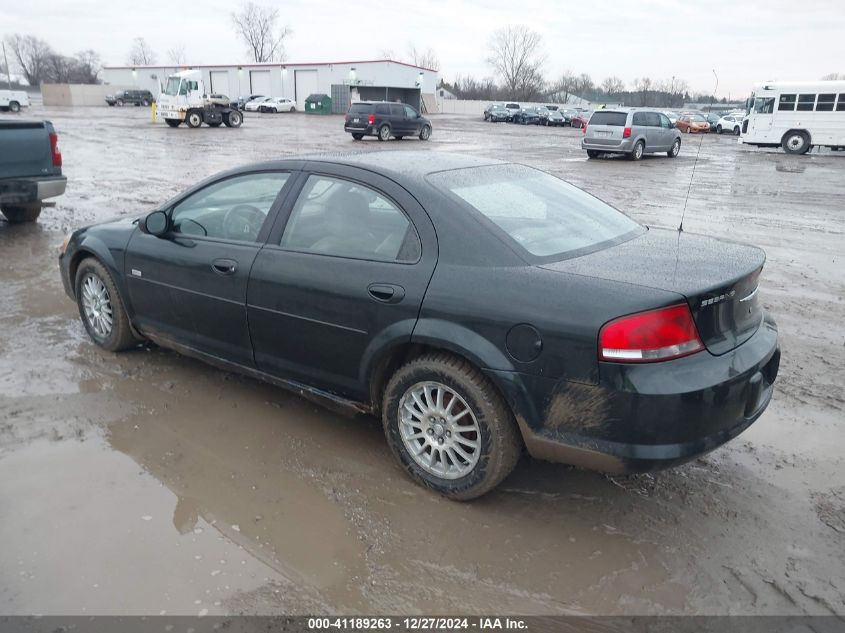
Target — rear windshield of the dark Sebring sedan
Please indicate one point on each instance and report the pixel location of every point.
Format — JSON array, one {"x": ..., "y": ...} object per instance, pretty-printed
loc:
[{"x": 546, "y": 218}]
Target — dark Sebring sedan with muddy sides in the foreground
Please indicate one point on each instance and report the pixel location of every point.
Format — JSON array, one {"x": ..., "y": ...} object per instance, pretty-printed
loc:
[{"x": 479, "y": 308}]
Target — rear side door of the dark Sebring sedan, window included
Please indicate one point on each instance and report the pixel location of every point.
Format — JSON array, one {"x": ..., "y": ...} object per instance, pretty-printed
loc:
[{"x": 341, "y": 278}]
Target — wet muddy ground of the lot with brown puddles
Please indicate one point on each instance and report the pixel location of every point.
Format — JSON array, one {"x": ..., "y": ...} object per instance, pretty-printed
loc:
[{"x": 146, "y": 482}]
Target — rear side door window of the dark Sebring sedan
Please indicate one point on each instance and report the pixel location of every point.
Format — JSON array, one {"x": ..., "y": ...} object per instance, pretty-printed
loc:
[{"x": 347, "y": 219}]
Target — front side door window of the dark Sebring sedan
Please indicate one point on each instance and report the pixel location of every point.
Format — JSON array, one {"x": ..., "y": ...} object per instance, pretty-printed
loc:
[{"x": 231, "y": 209}]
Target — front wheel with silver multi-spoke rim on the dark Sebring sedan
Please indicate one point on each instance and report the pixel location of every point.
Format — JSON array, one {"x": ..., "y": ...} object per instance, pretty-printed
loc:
[{"x": 98, "y": 299}]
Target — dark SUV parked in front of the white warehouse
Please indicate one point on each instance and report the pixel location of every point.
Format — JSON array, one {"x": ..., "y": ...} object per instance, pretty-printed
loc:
[{"x": 384, "y": 119}]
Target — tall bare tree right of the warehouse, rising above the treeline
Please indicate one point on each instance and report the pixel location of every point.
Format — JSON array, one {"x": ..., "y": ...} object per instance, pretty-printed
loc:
[{"x": 516, "y": 54}]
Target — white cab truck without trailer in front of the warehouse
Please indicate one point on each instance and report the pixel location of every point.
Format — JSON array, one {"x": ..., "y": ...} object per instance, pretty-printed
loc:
[{"x": 185, "y": 99}]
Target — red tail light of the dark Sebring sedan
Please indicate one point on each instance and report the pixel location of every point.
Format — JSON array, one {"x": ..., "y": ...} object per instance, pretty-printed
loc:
[{"x": 646, "y": 337}]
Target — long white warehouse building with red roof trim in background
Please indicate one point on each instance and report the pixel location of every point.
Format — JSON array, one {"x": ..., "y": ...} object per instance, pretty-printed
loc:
[{"x": 344, "y": 82}]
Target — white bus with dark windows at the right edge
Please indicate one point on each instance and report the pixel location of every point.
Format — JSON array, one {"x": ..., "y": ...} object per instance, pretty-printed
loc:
[{"x": 796, "y": 116}]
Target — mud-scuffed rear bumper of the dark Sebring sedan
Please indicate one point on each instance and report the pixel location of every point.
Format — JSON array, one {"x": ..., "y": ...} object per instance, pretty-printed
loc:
[{"x": 649, "y": 416}]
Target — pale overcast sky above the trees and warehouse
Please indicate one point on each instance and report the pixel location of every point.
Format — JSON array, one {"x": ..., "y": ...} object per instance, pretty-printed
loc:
[{"x": 743, "y": 40}]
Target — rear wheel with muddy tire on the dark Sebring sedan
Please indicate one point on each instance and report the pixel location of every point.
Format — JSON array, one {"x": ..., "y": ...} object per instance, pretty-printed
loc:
[{"x": 491, "y": 444}]
